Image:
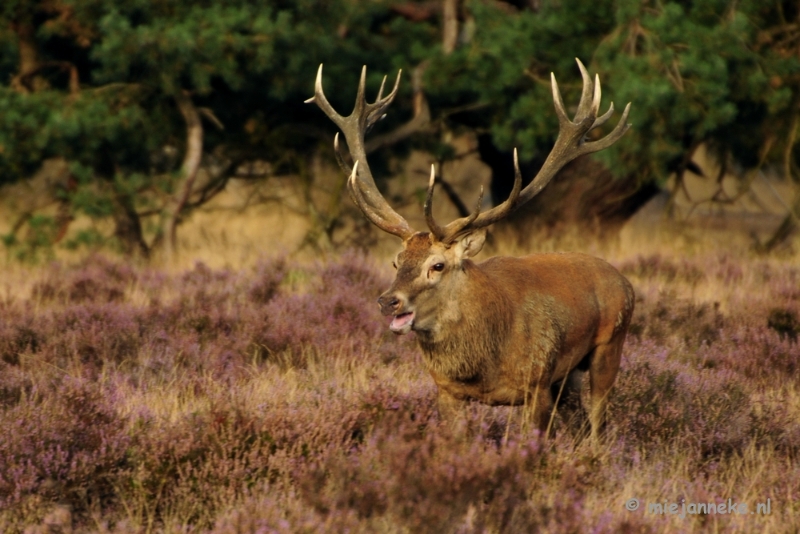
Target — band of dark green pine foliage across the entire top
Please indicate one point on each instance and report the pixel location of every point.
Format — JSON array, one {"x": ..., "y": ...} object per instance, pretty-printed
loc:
[{"x": 101, "y": 93}]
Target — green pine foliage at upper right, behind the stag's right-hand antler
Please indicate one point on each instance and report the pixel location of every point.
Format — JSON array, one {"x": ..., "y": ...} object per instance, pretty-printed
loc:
[{"x": 698, "y": 72}]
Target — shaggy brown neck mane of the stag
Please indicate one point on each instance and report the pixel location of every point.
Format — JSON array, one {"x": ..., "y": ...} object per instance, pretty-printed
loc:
[{"x": 473, "y": 325}]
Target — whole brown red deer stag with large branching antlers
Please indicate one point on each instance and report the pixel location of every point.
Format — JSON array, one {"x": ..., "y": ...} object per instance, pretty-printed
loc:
[{"x": 505, "y": 331}]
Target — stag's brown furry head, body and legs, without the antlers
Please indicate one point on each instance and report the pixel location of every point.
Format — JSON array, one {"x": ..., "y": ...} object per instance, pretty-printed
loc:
[{"x": 510, "y": 330}]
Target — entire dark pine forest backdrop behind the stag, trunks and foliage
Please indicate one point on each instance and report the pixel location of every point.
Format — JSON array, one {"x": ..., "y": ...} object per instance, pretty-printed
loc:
[{"x": 135, "y": 116}]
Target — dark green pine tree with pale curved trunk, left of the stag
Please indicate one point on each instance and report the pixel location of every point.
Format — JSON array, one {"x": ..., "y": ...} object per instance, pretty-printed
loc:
[{"x": 165, "y": 102}]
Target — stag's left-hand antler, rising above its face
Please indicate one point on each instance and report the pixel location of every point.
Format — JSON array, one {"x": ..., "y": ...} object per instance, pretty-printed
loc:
[{"x": 361, "y": 184}]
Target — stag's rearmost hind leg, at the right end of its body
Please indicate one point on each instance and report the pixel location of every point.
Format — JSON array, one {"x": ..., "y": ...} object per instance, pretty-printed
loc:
[{"x": 603, "y": 367}]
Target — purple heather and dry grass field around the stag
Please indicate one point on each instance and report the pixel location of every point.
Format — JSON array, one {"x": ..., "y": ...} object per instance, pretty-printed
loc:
[{"x": 271, "y": 397}]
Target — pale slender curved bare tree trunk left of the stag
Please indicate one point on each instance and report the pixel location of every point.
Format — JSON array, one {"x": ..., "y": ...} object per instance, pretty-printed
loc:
[{"x": 191, "y": 164}]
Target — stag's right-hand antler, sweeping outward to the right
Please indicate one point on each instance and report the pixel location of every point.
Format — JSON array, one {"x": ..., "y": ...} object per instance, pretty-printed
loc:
[{"x": 570, "y": 144}]
